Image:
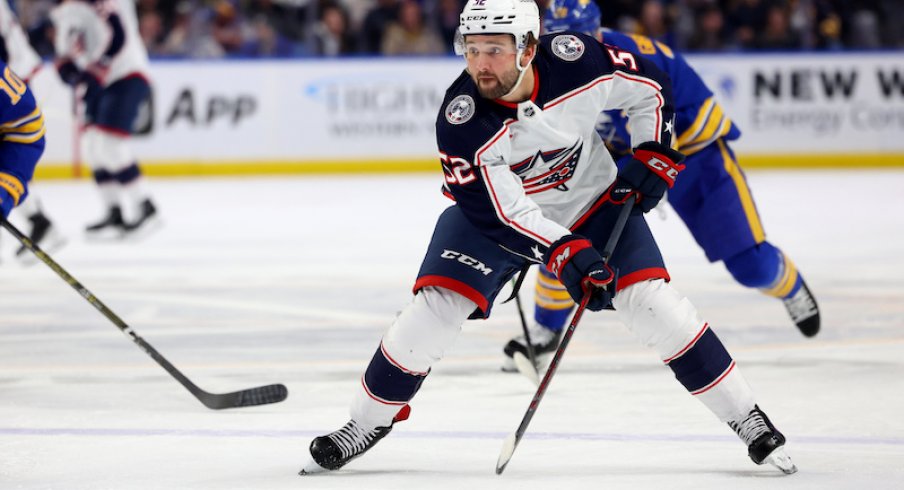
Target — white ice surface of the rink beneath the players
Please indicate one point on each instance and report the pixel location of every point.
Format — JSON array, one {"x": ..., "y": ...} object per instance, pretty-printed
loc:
[{"x": 256, "y": 281}]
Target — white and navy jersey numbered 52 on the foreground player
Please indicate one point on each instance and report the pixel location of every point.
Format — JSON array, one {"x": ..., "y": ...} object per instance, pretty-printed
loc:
[{"x": 528, "y": 174}]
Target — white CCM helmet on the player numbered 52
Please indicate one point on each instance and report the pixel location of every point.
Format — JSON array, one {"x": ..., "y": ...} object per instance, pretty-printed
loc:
[{"x": 516, "y": 17}]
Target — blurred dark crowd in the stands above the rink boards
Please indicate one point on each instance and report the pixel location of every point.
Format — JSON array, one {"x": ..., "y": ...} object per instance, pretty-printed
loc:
[{"x": 288, "y": 28}]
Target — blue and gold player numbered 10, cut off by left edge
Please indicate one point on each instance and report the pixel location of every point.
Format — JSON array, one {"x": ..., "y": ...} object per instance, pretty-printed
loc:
[{"x": 21, "y": 139}]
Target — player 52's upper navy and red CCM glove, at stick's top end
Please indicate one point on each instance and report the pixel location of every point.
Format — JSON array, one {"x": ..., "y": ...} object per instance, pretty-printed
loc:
[{"x": 651, "y": 171}]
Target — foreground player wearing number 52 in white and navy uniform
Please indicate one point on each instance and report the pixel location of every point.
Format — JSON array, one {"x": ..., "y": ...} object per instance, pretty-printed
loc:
[{"x": 533, "y": 183}]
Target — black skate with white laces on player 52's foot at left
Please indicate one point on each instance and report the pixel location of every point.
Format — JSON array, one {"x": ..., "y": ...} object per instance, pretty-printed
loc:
[{"x": 336, "y": 449}]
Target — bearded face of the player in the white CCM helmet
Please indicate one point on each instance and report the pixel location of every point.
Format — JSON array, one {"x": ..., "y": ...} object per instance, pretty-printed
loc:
[{"x": 491, "y": 63}]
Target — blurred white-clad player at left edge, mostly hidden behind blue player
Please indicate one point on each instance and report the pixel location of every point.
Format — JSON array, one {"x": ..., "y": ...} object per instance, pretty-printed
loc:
[{"x": 22, "y": 59}]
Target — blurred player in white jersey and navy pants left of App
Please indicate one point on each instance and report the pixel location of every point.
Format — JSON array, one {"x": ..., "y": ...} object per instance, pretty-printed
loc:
[{"x": 98, "y": 47}]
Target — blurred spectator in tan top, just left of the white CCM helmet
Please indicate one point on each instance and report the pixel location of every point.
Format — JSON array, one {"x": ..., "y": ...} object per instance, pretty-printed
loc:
[{"x": 410, "y": 35}]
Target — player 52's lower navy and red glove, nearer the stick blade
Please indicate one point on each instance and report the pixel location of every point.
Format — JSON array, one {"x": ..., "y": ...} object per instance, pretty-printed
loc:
[{"x": 581, "y": 270}]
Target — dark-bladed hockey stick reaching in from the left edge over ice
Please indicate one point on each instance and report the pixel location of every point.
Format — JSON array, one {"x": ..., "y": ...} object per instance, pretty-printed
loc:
[{"x": 260, "y": 395}]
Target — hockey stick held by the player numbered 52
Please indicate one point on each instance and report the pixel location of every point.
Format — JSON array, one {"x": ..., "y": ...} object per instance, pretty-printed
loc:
[{"x": 511, "y": 442}]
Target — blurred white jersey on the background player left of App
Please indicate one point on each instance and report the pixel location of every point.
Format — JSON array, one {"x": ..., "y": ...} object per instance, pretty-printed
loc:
[{"x": 103, "y": 31}]
